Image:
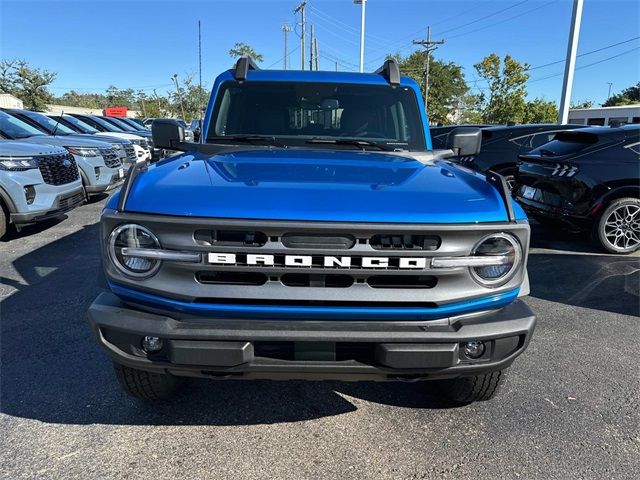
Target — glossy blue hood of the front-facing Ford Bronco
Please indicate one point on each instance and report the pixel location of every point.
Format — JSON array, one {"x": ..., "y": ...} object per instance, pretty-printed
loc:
[{"x": 315, "y": 185}]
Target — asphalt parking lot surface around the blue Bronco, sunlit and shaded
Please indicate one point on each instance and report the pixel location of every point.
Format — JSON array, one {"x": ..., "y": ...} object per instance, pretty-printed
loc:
[{"x": 569, "y": 408}]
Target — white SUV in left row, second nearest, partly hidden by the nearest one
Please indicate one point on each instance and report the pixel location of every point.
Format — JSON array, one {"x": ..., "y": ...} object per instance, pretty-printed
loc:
[{"x": 100, "y": 167}]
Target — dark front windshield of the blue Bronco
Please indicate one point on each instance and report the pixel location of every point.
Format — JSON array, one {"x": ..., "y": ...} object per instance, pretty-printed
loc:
[{"x": 298, "y": 112}]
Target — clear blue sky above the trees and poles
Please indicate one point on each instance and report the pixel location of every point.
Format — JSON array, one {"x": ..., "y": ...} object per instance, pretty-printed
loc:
[{"x": 137, "y": 43}]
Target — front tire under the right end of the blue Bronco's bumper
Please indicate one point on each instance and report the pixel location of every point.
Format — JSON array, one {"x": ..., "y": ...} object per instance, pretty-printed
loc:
[{"x": 478, "y": 388}]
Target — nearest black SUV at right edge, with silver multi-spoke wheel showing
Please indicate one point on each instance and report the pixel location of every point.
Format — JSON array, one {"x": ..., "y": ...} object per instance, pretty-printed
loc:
[{"x": 589, "y": 180}]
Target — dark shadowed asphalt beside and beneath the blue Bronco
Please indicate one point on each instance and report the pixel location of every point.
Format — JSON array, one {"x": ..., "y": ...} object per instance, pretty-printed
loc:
[{"x": 53, "y": 370}]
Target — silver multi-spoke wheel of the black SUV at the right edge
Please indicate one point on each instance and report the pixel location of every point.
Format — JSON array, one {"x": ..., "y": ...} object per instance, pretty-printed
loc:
[{"x": 618, "y": 228}]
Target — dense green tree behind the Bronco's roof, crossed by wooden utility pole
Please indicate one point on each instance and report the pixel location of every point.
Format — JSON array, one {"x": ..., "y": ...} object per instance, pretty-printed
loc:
[{"x": 447, "y": 86}]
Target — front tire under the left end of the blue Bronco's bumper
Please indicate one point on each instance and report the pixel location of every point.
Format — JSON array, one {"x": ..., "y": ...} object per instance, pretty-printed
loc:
[{"x": 146, "y": 385}]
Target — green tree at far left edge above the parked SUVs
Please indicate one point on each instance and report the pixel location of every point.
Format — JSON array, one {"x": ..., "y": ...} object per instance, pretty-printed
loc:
[{"x": 27, "y": 83}]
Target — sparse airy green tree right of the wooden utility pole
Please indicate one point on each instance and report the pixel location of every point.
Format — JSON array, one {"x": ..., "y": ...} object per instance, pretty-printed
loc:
[{"x": 506, "y": 78}]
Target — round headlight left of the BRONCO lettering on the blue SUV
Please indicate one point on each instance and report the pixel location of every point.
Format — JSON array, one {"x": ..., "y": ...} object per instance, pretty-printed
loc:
[{"x": 133, "y": 236}]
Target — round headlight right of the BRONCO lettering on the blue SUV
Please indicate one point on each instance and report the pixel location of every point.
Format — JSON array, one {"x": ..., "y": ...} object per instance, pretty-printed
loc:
[{"x": 497, "y": 245}]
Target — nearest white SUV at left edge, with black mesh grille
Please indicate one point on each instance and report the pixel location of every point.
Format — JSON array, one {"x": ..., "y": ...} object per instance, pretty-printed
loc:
[{"x": 37, "y": 182}]
